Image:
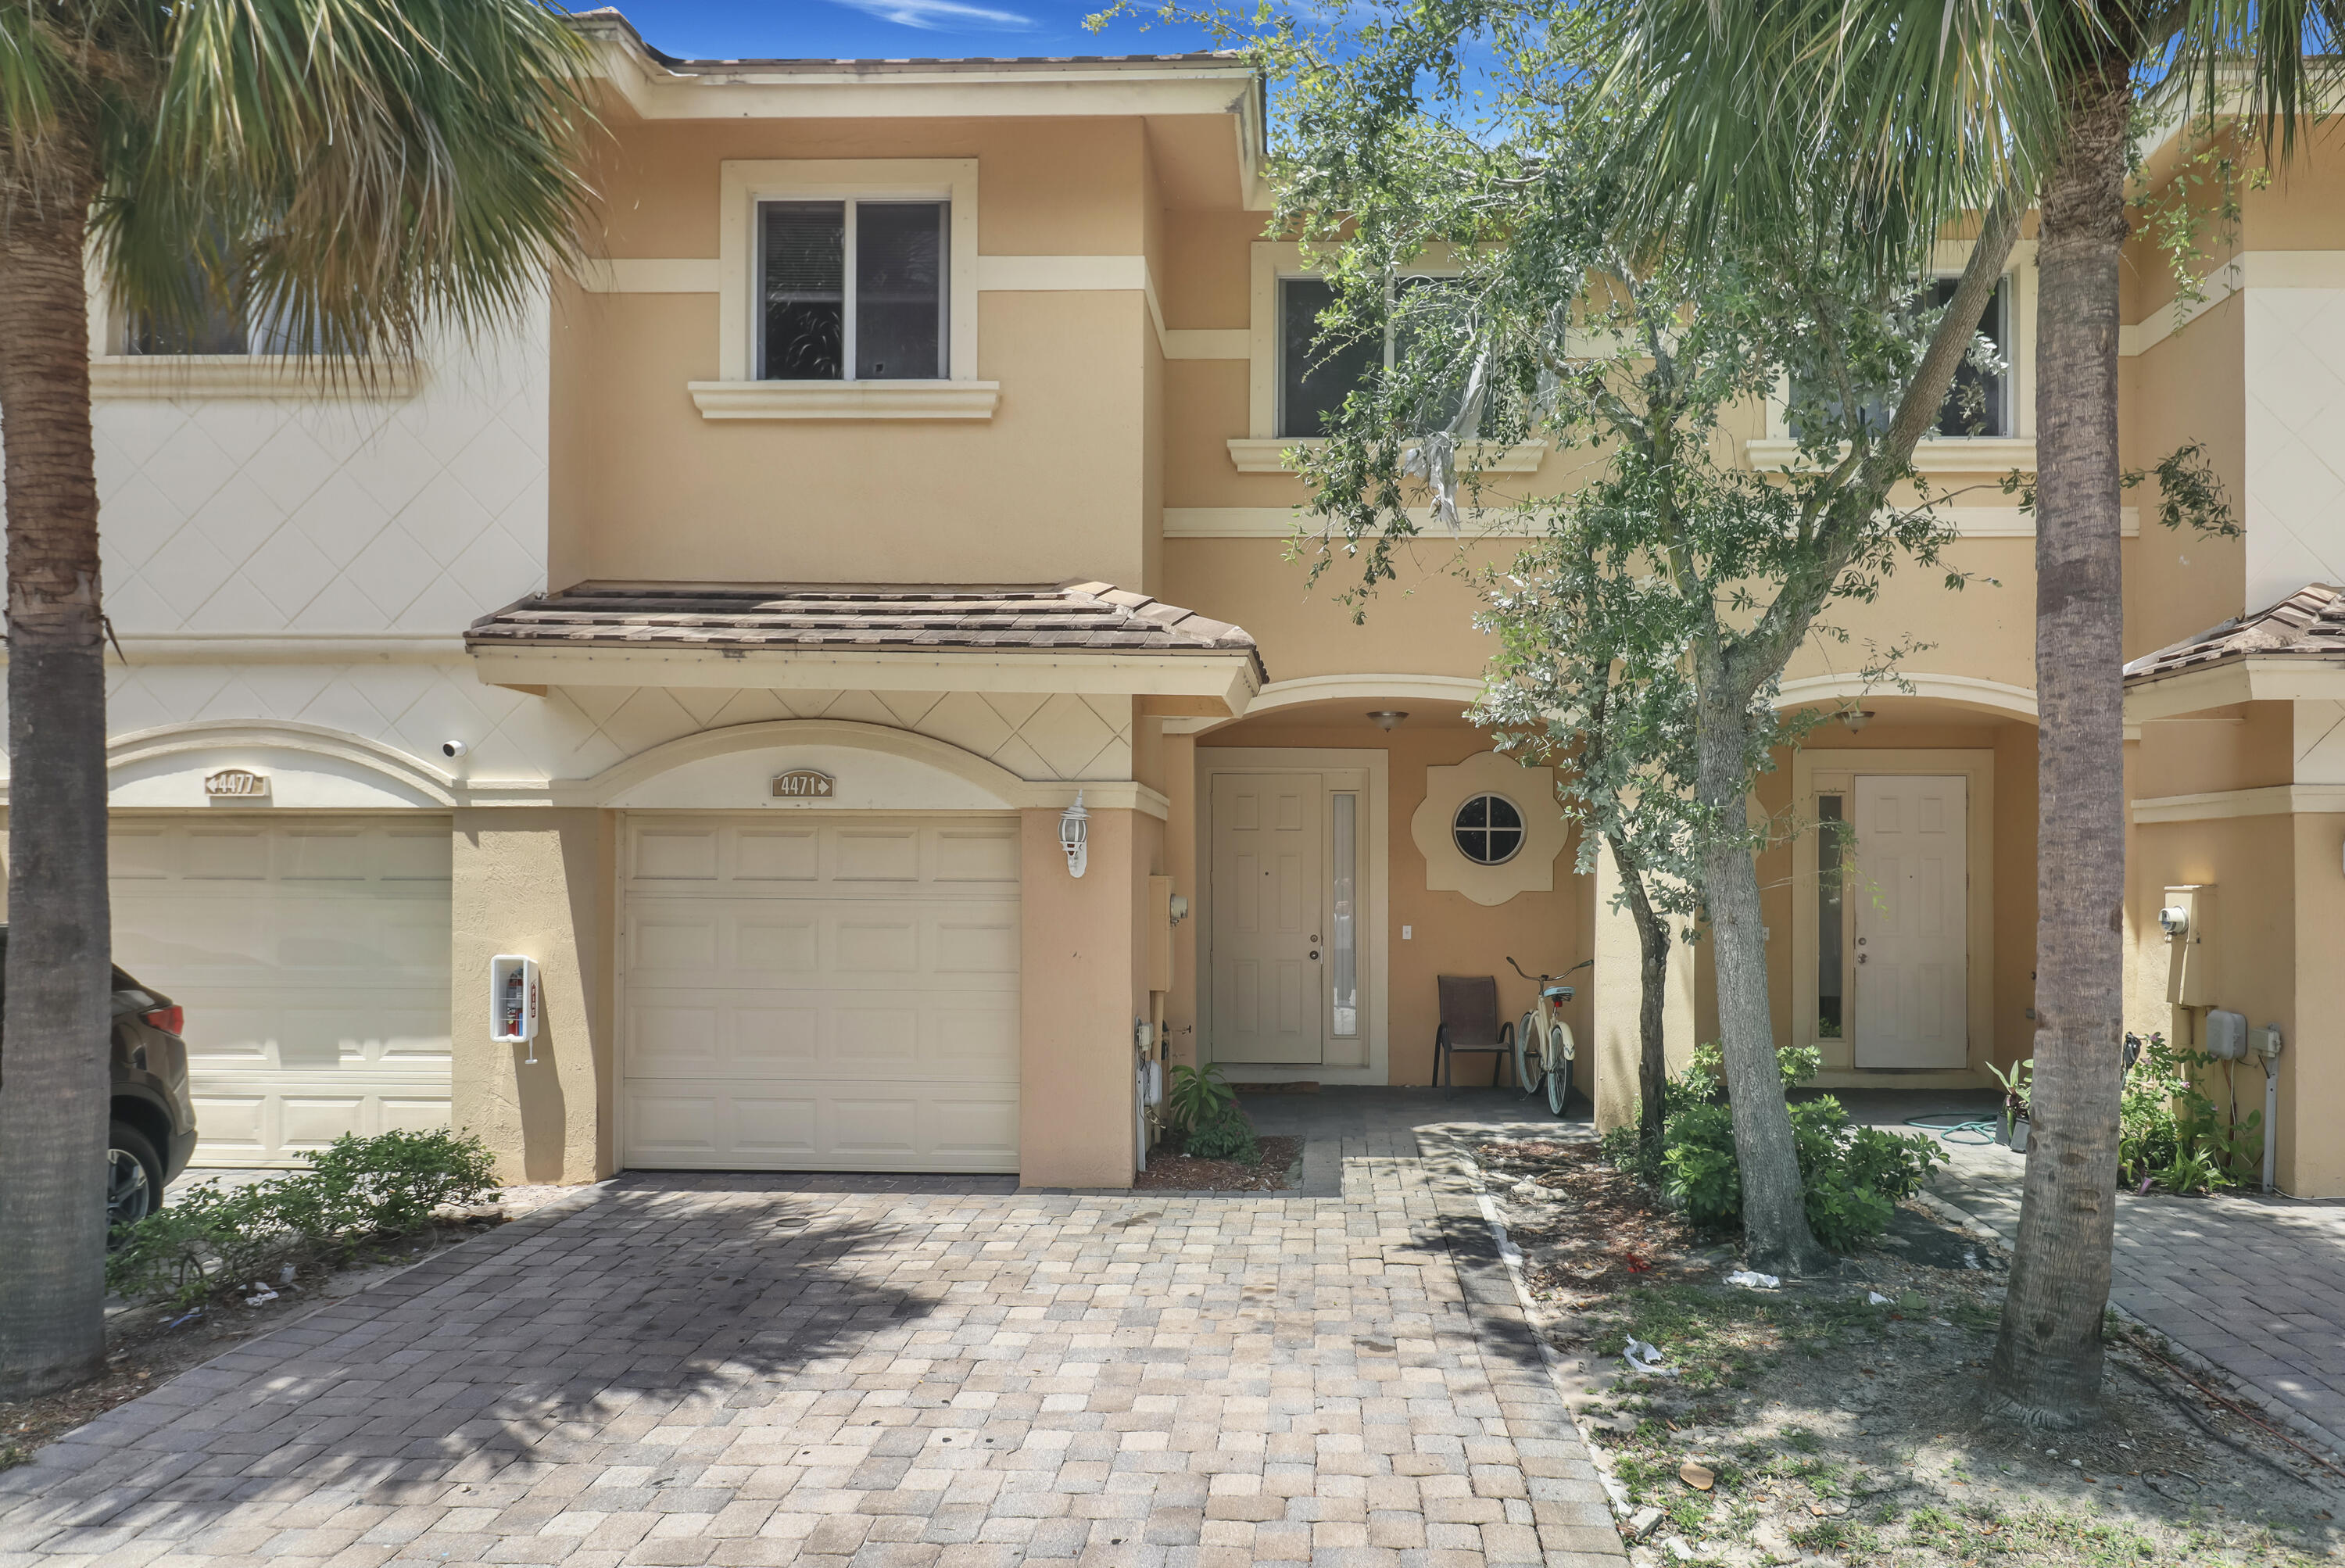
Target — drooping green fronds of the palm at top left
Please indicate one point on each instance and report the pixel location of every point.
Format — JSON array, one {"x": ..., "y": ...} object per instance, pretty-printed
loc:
[{"x": 355, "y": 175}]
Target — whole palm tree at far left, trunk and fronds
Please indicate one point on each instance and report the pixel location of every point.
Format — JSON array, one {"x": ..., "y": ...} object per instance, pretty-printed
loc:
[{"x": 358, "y": 175}]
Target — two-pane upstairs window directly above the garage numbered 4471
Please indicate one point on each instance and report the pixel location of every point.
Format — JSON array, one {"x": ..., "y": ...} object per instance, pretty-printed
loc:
[{"x": 852, "y": 292}]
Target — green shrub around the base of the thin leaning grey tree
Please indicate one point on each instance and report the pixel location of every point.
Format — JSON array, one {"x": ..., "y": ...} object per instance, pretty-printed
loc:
[{"x": 1854, "y": 1175}]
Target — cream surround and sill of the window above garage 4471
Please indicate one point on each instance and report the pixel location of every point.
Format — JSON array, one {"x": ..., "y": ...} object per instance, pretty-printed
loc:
[{"x": 742, "y": 186}]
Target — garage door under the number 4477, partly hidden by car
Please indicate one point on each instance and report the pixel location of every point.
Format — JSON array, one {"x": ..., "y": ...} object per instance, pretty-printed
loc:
[{"x": 313, "y": 962}]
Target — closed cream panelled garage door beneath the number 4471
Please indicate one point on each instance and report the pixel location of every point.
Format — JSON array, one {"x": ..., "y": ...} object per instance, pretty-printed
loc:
[{"x": 822, "y": 995}]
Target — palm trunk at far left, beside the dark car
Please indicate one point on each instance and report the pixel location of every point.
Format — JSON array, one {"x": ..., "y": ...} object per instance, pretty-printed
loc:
[{"x": 55, "y": 1082}]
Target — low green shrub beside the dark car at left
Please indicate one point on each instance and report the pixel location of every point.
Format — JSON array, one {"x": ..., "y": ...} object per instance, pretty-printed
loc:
[{"x": 358, "y": 1189}]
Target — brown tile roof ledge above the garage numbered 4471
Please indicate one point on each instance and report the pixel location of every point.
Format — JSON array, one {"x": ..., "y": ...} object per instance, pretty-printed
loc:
[{"x": 862, "y": 618}]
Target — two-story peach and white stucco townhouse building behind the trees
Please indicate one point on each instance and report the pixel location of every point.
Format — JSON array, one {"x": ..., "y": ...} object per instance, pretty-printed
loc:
[{"x": 738, "y": 643}]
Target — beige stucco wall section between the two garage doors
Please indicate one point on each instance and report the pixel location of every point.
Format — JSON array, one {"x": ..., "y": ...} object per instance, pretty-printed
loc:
[{"x": 538, "y": 882}]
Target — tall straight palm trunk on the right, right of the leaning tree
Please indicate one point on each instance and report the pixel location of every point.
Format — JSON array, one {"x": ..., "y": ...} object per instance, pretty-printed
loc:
[{"x": 2048, "y": 1358}]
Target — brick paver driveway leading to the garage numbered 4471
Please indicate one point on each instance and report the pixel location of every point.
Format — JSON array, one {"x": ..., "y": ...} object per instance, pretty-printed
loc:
[{"x": 738, "y": 1372}]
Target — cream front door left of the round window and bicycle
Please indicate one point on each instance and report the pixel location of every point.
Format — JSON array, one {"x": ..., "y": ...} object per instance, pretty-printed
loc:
[{"x": 1270, "y": 918}]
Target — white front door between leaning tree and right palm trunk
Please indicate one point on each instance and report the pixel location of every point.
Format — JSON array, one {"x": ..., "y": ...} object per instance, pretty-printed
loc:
[{"x": 1912, "y": 901}]
